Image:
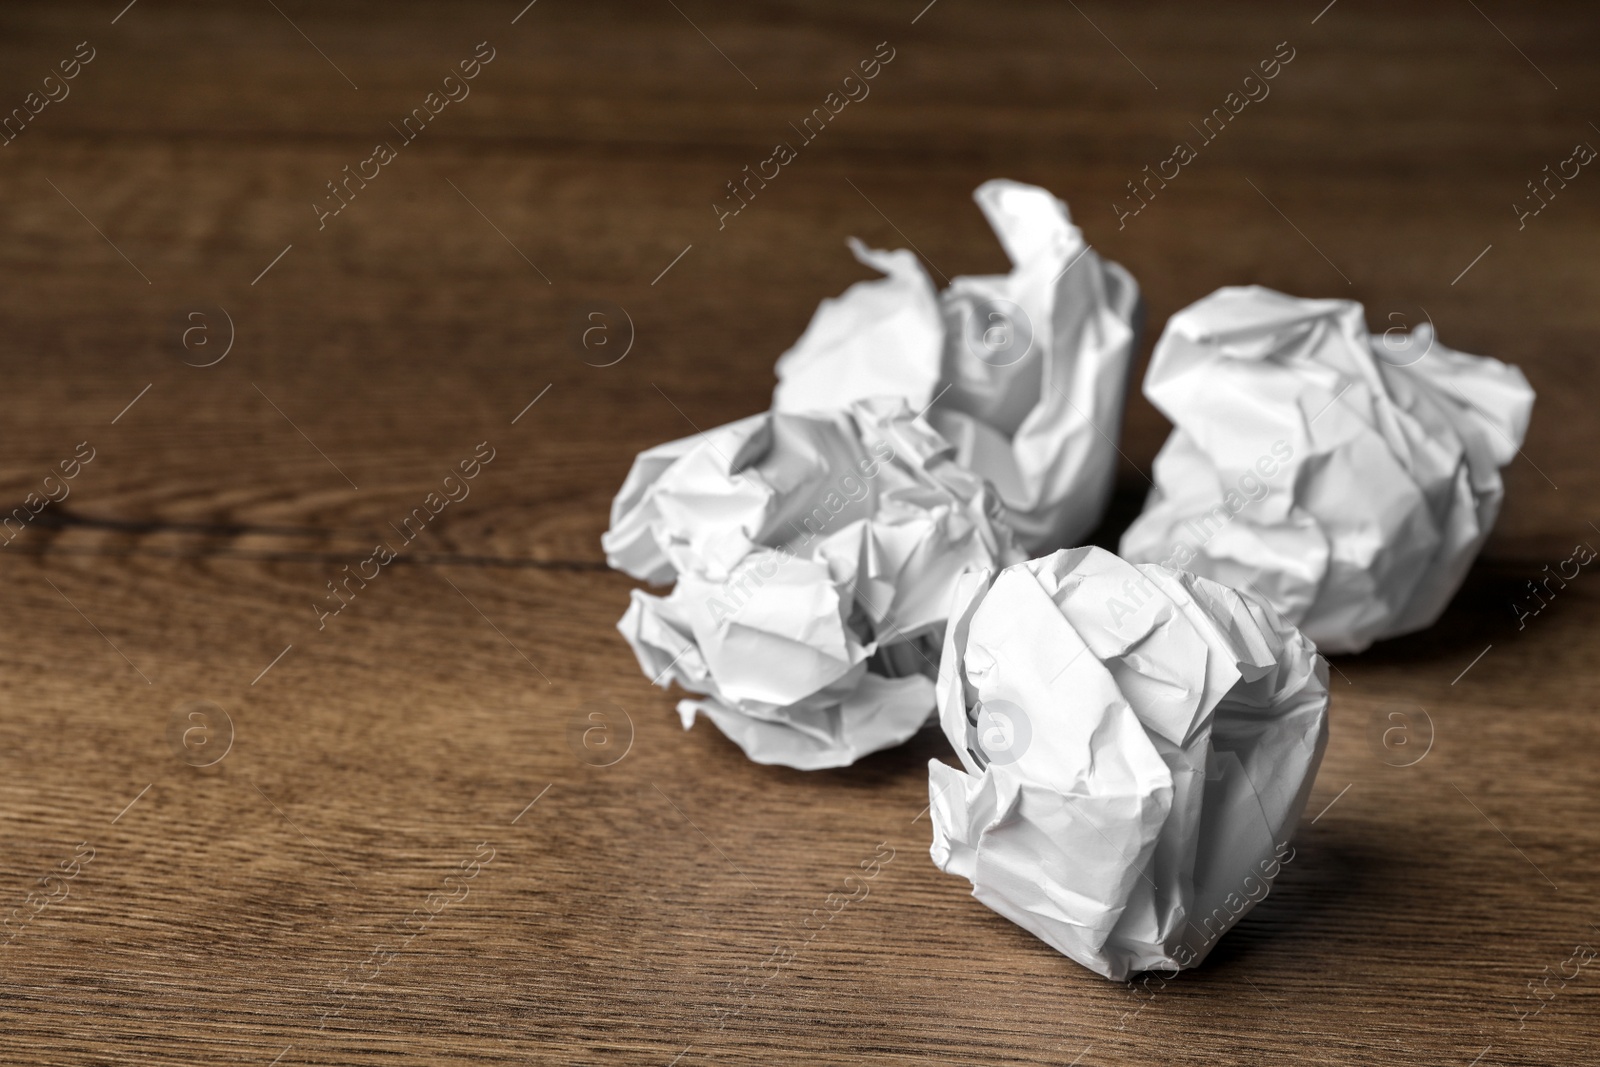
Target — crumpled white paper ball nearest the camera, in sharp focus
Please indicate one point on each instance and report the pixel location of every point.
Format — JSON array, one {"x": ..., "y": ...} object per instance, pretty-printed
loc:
[{"x": 1138, "y": 746}]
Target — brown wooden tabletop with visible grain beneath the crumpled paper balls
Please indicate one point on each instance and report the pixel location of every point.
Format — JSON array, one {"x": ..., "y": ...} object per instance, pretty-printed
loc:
[{"x": 250, "y": 390}]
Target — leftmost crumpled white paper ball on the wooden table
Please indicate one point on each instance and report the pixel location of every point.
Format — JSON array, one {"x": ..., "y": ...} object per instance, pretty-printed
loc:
[{"x": 815, "y": 559}]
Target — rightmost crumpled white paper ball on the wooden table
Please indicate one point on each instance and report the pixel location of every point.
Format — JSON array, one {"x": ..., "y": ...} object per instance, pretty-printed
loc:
[{"x": 1350, "y": 479}]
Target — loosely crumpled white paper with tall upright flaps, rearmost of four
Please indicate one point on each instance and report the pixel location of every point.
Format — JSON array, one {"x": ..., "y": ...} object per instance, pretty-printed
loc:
[{"x": 1025, "y": 372}]
